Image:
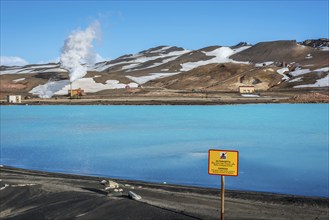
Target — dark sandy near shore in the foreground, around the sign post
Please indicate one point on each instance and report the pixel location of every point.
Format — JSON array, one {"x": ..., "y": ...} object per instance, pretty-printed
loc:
[{"x": 84, "y": 197}]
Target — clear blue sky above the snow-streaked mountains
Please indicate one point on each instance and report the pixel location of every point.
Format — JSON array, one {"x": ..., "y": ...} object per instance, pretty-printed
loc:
[{"x": 36, "y": 30}]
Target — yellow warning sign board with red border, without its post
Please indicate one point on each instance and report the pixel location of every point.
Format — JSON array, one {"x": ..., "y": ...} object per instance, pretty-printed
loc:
[{"x": 223, "y": 162}]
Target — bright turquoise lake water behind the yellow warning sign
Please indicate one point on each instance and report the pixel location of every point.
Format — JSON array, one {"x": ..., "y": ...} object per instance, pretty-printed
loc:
[{"x": 283, "y": 148}]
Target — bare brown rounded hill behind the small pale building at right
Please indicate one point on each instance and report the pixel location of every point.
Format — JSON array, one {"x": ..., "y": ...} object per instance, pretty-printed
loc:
[{"x": 228, "y": 76}]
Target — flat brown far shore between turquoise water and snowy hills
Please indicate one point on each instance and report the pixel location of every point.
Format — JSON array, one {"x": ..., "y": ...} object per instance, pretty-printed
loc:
[{"x": 178, "y": 97}]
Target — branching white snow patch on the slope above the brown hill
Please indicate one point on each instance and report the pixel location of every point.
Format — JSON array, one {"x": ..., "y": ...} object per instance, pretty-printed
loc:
[{"x": 221, "y": 55}]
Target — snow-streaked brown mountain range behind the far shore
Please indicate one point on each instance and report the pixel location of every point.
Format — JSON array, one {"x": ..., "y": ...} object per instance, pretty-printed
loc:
[{"x": 266, "y": 65}]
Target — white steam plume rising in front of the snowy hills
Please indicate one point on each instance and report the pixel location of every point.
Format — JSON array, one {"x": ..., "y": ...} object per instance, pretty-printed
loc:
[{"x": 77, "y": 50}]
